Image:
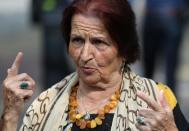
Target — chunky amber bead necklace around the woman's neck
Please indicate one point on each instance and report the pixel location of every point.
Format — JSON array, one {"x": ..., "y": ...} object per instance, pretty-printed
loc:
[{"x": 83, "y": 120}]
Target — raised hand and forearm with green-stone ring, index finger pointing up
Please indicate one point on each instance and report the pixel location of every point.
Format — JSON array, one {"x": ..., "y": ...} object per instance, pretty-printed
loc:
[{"x": 15, "y": 93}]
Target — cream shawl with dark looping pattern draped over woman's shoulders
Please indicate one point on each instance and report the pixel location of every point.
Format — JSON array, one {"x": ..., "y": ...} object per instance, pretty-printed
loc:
[{"x": 49, "y": 111}]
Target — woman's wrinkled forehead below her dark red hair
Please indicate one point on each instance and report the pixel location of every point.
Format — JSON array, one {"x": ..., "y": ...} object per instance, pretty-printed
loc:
[{"x": 85, "y": 24}]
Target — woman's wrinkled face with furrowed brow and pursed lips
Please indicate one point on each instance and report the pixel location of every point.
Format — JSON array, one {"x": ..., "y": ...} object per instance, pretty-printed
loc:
[{"x": 95, "y": 54}]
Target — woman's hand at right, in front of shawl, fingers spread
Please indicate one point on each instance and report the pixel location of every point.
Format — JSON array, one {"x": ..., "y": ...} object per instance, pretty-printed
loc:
[{"x": 159, "y": 117}]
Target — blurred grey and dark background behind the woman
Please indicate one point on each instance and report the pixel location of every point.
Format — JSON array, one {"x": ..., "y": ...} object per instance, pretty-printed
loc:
[{"x": 32, "y": 26}]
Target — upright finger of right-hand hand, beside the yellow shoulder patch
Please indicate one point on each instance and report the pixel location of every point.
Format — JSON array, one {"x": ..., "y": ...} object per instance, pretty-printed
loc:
[{"x": 163, "y": 101}]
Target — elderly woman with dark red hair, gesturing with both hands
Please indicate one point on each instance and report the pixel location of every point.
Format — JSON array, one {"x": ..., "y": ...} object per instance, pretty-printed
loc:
[{"x": 103, "y": 94}]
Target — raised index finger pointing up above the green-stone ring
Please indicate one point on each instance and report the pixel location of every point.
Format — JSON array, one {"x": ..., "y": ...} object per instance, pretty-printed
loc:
[{"x": 16, "y": 65}]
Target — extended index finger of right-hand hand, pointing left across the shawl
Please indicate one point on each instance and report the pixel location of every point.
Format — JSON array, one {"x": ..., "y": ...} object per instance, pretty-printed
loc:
[{"x": 151, "y": 103}]
